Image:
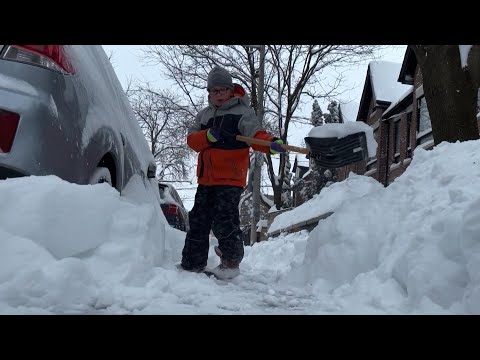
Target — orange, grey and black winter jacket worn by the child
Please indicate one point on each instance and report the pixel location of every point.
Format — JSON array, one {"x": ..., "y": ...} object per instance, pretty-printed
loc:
[{"x": 226, "y": 162}]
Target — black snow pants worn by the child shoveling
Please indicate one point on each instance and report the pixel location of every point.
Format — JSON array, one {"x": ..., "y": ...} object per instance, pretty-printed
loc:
[{"x": 215, "y": 208}]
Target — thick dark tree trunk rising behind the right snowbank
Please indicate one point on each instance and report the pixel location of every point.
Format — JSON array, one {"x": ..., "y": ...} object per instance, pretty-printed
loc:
[{"x": 451, "y": 91}]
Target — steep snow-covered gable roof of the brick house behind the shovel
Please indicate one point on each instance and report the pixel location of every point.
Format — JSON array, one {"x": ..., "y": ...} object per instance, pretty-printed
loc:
[{"x": 384, "y": 79}]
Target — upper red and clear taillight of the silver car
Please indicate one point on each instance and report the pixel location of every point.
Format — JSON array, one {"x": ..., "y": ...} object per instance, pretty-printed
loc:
[{"x": 49, "y": 56}]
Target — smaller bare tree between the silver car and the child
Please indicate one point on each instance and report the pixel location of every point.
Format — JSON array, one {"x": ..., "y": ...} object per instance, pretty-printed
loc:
[{"x": 164, "y": 124}]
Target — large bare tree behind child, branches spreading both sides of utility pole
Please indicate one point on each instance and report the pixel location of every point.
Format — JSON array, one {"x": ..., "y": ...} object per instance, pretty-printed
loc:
[{"x": 292, "y": 74}]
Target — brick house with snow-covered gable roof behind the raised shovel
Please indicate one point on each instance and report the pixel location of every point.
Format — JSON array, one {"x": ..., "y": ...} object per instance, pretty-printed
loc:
[{"x": 398, "y": 115}]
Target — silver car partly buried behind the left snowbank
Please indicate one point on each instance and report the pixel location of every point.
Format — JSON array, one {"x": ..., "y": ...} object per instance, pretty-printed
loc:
[{"x": 63, "y": 112}]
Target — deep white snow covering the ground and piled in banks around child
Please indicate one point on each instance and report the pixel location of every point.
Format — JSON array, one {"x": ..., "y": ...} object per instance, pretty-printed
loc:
[{"x": 411, "y": 248}]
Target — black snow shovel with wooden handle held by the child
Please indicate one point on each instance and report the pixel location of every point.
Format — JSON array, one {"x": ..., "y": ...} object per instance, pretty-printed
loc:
[{"x": 329, "y": 153}]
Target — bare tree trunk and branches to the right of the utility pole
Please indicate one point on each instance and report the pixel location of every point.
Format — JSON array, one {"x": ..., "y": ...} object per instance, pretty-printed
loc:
[{"x": 297, "y": 72}]
